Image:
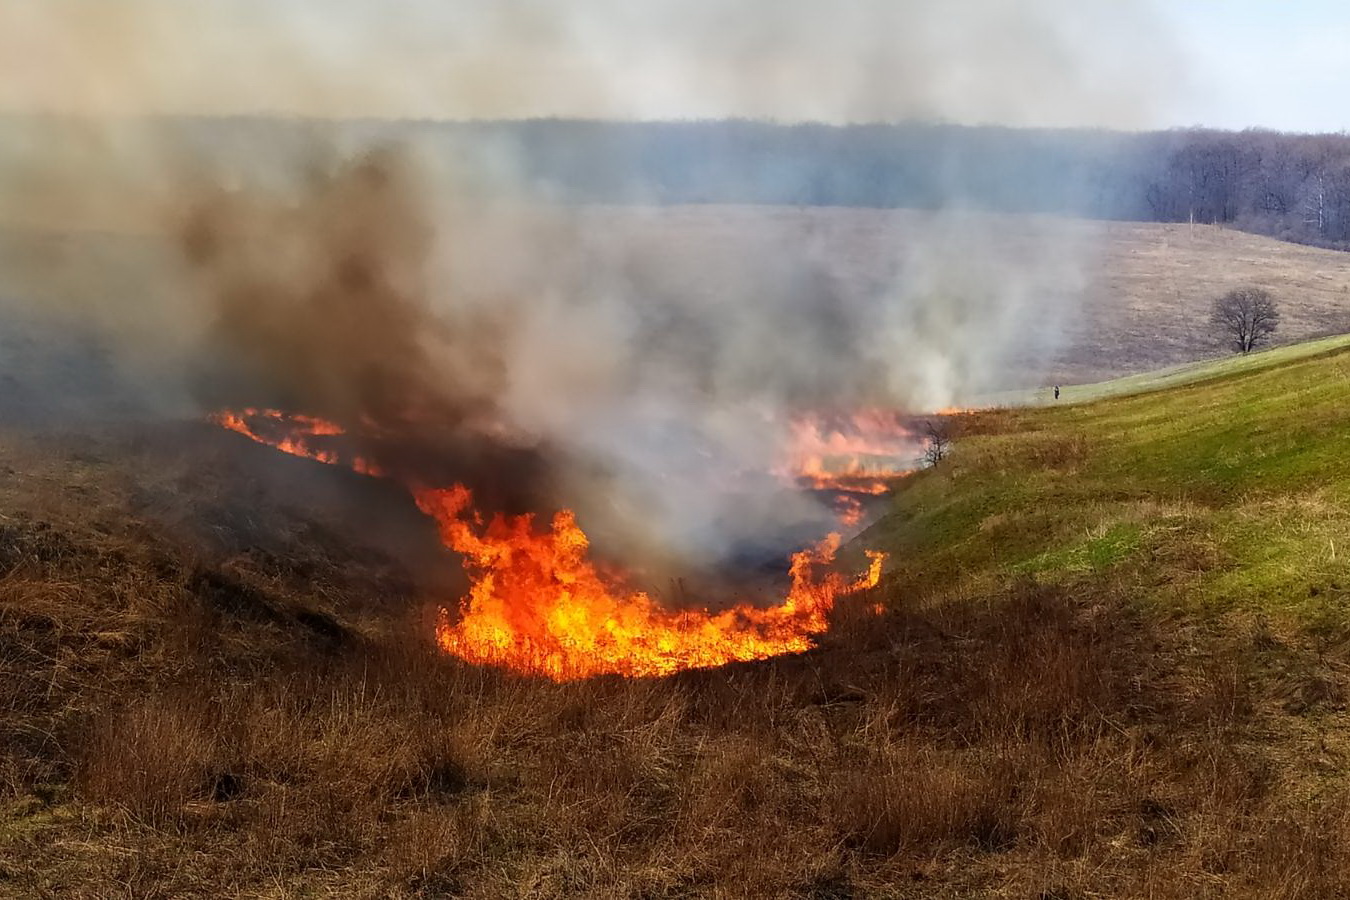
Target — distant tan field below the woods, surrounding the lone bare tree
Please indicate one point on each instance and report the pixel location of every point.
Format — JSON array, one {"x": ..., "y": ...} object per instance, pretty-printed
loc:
[{"x": 1147, "y": 288}]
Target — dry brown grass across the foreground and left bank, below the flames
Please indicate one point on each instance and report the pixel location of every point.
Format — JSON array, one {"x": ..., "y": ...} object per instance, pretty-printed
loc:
[{"x": 200, "y": 723}]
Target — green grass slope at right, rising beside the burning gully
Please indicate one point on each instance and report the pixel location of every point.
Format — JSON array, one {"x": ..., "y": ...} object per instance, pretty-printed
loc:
[{"x": 1217, "y": 486}]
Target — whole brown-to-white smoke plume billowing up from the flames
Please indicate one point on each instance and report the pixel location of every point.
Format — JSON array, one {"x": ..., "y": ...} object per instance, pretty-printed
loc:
[{"x": 657, "y": 404}]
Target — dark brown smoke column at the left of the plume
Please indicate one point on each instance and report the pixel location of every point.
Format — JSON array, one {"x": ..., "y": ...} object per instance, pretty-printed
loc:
[{"x": 321, "y": 306}]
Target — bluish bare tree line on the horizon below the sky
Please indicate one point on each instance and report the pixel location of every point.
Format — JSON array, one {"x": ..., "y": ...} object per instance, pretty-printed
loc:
[{"x": 1285, "y": 186}]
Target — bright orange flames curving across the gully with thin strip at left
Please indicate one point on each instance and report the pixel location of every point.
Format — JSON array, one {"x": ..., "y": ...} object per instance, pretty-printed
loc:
[{"x": 539, "y": 605}]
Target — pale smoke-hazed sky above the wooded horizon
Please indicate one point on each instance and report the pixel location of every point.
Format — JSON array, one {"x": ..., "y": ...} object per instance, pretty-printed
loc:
[{"x": 1063, "y": 63}]
